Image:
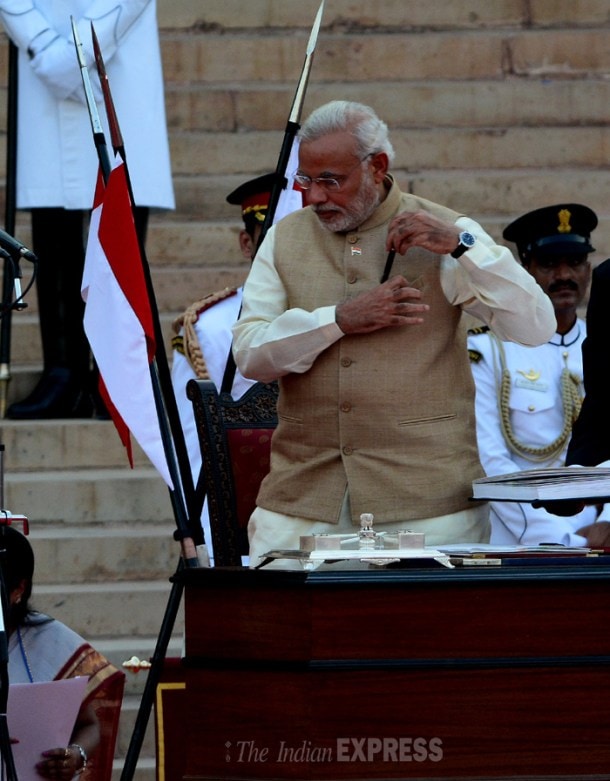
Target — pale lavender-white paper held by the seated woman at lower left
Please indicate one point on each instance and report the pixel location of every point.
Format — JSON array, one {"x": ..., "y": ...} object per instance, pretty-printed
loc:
[{"x": 41, "y": 716}]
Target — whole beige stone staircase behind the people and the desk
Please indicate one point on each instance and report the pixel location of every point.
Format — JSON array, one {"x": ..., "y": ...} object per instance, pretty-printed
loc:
[{"x": 494, "y": 108}]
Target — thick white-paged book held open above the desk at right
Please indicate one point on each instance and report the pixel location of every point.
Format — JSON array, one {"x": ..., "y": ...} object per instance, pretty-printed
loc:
[{"x": 532, "y": 485}]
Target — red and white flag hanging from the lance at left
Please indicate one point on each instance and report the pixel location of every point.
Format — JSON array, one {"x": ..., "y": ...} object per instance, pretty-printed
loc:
[{"x": 118, "y": 319}]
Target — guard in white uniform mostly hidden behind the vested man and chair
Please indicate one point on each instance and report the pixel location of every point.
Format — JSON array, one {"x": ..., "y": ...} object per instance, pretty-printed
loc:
[{"x": 202, "y": 345}]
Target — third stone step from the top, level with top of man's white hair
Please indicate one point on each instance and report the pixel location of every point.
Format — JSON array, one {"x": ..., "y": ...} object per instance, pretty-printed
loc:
[{"x": 241, "y": 108}]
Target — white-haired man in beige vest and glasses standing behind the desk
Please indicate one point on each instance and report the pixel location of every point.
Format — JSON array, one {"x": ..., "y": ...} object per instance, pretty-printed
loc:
[{"x": 376, "y": 408}]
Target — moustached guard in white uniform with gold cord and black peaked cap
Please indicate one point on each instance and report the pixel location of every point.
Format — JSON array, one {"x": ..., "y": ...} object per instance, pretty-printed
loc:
[{"x": 527, "y": 398}]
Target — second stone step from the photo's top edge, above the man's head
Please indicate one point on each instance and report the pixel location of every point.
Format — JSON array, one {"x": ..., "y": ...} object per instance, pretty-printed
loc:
[{"x": 381, "y": 55}]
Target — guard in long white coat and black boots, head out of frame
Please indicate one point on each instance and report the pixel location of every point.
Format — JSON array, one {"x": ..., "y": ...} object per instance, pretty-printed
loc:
[{"x": 57, "y": 163}]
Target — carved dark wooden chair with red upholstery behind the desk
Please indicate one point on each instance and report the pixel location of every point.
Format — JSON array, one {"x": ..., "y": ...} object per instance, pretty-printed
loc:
[{"x": 235, "y": 440}]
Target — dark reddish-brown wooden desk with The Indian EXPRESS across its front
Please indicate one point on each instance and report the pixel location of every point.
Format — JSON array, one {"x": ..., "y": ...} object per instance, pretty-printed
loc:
[{"x": 413, "y": 673}]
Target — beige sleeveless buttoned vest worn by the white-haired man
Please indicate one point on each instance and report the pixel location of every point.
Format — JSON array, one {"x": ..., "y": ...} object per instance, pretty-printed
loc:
[{"x": 388, "y": 414}]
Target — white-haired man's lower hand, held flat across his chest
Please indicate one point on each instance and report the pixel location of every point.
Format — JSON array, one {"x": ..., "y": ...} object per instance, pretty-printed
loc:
[{"x": 391, "y": 304}]
